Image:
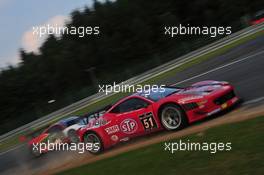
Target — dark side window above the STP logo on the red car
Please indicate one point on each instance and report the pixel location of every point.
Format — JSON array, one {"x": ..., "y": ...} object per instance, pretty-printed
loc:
[{"x": 130, "y": 105}]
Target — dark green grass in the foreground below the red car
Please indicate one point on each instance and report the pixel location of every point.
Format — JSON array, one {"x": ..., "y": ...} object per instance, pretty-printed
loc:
[{"x": 246, "y": 156}]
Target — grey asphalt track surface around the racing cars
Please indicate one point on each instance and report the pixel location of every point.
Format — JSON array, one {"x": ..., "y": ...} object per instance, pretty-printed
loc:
[{"x": 243, "y": 66}]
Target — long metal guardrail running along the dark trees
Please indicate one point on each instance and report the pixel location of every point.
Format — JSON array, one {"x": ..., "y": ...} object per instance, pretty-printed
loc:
[{"x": 137, "y": 79}]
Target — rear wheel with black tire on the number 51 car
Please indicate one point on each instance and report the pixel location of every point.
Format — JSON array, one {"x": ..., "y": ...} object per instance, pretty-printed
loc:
[{"x": 92, "y": 137}]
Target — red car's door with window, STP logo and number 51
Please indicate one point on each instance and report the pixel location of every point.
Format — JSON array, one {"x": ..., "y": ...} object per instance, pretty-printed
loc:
[{"x": 134, "y": 117}]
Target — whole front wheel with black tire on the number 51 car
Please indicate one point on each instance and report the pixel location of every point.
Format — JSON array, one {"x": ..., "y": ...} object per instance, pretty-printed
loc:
[{"x": 173, "y": 117}]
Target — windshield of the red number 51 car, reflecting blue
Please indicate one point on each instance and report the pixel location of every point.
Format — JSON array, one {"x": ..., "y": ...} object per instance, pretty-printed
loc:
[{"x": 159, "y": 93}]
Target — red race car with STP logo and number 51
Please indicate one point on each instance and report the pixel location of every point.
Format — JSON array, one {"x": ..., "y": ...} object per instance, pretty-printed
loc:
[{"x": 170, "y": 108}]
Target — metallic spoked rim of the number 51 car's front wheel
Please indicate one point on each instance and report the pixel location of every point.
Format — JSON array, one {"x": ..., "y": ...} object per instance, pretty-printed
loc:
[{"x": 171, "y": 118}]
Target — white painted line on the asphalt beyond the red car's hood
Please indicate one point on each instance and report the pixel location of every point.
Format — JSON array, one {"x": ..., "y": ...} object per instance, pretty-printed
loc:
[{"x": 220, "y": 67}]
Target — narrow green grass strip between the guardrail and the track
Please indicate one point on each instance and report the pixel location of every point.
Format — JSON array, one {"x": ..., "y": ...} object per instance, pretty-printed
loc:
[{"x": 13, "y": 141}]
